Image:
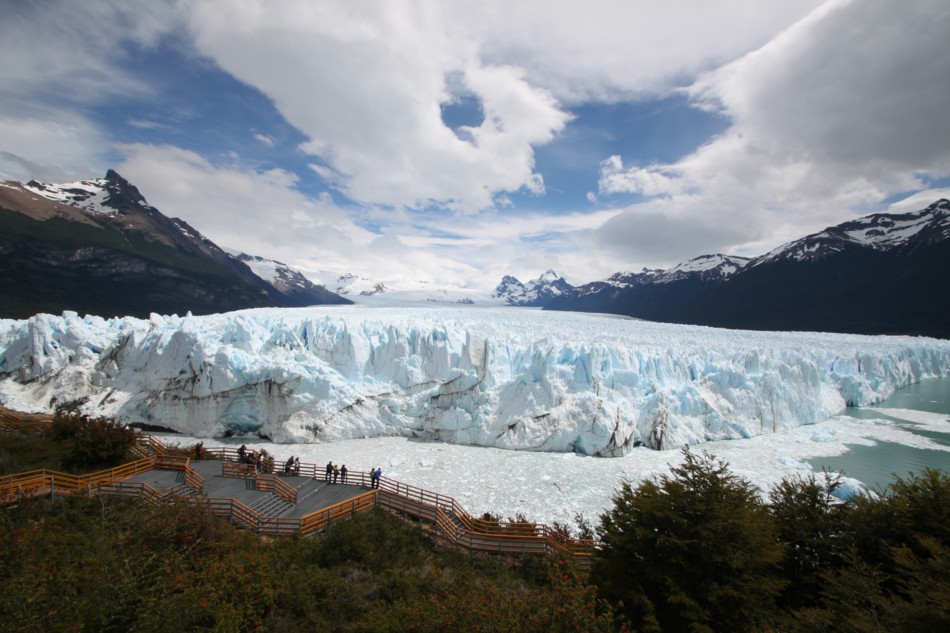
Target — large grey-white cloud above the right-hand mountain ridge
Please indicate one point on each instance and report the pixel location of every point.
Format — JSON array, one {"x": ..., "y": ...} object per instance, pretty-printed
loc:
[{"x": 841, "y": 111}]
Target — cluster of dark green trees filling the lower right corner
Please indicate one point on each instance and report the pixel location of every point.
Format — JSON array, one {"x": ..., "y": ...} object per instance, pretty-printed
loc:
[{"x": 698, "y": 550}]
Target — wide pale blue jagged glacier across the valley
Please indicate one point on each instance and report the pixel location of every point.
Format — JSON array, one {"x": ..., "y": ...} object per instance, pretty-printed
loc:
[{"x": 501, "y": 377}]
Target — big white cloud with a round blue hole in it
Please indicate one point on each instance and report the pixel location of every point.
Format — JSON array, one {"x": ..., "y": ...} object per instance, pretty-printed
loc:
[{"x": 365, "y": 86}]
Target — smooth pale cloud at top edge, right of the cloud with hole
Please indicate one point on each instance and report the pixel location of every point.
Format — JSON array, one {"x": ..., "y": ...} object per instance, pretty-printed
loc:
[{"x": 620, "y": 49}]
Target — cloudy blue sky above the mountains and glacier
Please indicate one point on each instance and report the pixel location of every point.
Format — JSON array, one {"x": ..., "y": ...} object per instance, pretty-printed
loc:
[{"x": 457, "y": 142}]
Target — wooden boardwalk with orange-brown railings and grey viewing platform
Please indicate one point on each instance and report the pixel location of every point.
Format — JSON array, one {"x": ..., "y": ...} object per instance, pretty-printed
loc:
[{"x": 278, "y": 504}]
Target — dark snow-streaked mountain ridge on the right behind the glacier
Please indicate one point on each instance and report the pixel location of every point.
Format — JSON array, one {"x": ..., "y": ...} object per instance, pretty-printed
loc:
[{"x": 880, "y": 274}]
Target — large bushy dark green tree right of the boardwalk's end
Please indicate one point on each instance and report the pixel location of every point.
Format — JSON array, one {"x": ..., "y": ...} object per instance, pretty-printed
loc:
[{"x": 695, "y": 550}]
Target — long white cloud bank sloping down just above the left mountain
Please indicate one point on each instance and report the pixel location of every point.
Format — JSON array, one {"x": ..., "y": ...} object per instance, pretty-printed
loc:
[{"x": 262, "y": 213}]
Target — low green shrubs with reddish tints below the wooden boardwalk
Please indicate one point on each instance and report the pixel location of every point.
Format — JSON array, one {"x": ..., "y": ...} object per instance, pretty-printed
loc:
[{"x": 110, "y": 565}]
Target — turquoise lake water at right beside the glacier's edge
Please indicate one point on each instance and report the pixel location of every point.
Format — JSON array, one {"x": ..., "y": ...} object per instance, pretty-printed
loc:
[{"x": 876, "y": 465}]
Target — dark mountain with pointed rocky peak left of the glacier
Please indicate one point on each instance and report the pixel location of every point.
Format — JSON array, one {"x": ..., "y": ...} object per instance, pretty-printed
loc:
[{"x": 97, "y": 246}]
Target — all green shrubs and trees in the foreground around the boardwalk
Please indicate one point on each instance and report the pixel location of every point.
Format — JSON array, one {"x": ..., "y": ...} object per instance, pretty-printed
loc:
[{"x": 695, "y": 550}]
